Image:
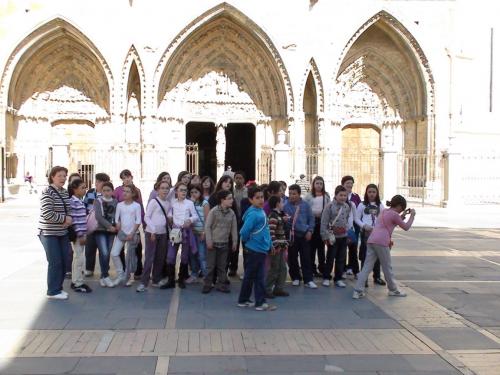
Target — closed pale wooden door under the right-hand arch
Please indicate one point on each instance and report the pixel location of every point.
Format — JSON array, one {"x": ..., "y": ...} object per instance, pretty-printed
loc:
[{"x": 361, "y": 155}]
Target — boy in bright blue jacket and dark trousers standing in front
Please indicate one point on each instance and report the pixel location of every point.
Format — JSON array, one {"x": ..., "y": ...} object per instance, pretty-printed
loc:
[{"x": 257, "y": 239}]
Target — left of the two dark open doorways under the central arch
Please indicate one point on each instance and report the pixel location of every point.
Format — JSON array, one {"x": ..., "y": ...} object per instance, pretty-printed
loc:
[{"x": 203, "y": 133}]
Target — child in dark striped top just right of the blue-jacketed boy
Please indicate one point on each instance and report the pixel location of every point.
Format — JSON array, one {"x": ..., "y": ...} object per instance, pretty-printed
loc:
[{"x": 276, "y": 275}]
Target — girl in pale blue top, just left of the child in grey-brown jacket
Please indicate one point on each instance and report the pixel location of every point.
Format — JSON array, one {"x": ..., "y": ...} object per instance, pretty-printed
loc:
[{"x": 198, "y": 261}]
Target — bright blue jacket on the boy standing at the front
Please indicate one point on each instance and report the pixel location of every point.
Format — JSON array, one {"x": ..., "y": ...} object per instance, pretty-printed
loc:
[{"x": 255, "y": 232}]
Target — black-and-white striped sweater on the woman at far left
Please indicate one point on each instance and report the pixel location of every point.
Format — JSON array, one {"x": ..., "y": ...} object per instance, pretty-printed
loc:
[{"x": 53, "y": 213}]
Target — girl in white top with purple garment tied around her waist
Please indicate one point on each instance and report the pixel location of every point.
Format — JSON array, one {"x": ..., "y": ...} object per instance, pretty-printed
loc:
[{"x": 181, "y": 216}]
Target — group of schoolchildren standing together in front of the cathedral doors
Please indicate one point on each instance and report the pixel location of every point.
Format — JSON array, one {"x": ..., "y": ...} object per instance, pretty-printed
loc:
[{"x": 207, "y": 223}]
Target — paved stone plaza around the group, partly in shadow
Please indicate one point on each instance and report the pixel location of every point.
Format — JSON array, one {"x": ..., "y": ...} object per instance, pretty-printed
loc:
[{"x": 448, "y": 324}]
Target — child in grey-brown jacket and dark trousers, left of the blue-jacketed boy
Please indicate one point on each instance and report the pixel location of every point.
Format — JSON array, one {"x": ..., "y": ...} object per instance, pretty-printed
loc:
[{"x": 220, "y": 225}]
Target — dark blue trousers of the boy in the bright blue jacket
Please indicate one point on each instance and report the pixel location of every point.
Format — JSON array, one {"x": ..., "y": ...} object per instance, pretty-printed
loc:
[{"x": 254, "y": 277}]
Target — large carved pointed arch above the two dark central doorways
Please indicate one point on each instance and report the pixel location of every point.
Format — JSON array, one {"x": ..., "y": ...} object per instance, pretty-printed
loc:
[{"x": 237, "y": 52}]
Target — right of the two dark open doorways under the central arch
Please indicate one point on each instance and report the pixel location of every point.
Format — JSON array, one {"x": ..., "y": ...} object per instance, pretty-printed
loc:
[{"x": 240, "y": 148}]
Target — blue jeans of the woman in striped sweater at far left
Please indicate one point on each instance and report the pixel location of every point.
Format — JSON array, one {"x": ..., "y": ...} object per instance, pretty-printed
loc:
[{"x": 56, "y": 250}]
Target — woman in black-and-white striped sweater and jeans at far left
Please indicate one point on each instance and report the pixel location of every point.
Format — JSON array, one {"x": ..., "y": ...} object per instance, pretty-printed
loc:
[{"x": 55, "y": 218}]
